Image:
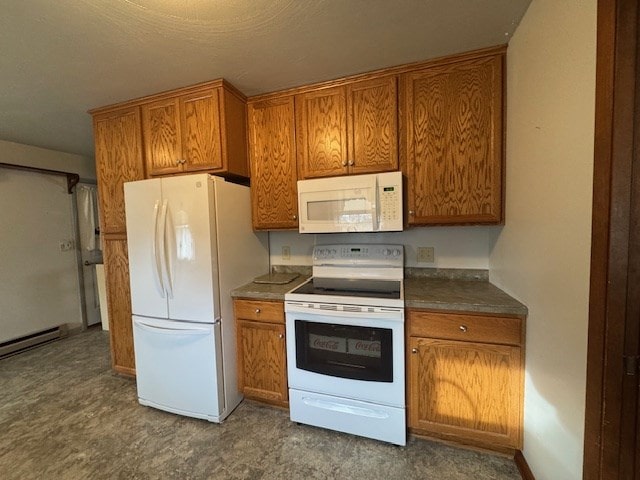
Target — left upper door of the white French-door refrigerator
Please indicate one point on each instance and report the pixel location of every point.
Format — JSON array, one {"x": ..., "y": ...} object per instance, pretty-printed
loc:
[{"x": 144, "y": 211}]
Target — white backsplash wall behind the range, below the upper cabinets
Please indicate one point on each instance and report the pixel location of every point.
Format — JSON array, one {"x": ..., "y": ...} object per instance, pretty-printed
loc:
[{"x": 454, "y": 247}]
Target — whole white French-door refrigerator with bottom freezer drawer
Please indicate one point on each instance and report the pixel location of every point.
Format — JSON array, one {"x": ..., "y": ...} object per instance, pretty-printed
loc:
[{"x": 190, "y": 242}]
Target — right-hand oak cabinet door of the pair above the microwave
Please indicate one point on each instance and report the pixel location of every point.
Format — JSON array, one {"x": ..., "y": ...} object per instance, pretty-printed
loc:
[{"x": 373, "y": 125}]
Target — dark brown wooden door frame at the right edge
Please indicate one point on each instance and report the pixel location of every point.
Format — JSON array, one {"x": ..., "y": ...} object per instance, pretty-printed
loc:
[{"x": 611, "y": 395}]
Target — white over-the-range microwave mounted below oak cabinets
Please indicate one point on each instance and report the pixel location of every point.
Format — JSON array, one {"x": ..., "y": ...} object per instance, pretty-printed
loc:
[{"x": 355, "y": 203}]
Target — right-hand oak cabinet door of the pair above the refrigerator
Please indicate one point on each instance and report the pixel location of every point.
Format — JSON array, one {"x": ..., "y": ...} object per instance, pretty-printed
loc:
[{"x": 201, "y": 136}]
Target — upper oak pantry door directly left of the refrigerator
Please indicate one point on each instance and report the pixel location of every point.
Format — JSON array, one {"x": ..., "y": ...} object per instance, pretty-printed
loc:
[{"x": 118, "y": 141}]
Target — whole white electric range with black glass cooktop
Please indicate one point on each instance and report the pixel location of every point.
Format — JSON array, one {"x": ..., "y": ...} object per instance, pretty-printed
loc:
[{"x": 345, "y": 342}]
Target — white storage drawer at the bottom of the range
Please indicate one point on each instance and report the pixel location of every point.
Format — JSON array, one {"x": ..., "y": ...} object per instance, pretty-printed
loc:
[{"x": 370, "y": 420}]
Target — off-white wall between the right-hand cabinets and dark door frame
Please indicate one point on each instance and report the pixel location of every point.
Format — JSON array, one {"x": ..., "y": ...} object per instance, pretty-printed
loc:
[{"x": 541, "y": 256}]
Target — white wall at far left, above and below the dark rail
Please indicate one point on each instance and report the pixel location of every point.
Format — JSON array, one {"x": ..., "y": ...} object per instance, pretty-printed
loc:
[{"x": 41, "y": 281}]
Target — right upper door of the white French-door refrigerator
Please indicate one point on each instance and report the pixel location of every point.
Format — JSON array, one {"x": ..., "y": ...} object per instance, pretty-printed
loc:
[{"x": 192, "y": 274}]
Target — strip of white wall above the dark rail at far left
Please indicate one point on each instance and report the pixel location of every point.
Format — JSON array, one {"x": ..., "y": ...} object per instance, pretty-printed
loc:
[{"x": 19, "y": 154}]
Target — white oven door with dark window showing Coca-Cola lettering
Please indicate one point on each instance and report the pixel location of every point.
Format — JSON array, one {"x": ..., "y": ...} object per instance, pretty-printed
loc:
[{"x": 358, "y": 355}]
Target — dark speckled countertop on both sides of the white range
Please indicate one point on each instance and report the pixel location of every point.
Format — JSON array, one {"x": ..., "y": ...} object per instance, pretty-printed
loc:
[{"x": 435, "y": 289}]
